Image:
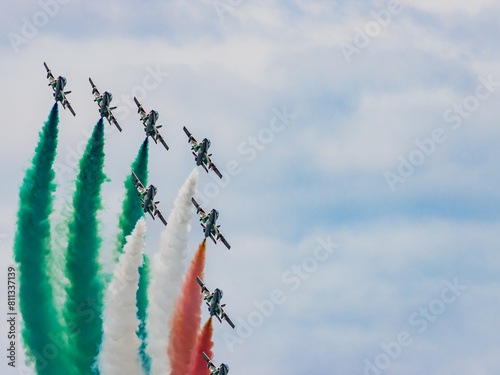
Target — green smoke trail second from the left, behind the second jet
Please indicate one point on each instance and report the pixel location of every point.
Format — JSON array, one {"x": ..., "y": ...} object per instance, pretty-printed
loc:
[{"x": 84, "y": 300}]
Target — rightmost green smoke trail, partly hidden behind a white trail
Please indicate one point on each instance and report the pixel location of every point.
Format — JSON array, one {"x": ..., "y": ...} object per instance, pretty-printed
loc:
[{"x": 131, "y": 212}]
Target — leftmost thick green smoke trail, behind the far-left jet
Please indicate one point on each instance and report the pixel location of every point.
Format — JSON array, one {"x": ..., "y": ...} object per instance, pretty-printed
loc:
[{"x": 42, "y": 330}]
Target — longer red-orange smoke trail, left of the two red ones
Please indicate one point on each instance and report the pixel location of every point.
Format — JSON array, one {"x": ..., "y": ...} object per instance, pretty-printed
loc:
[{"x": 187, "y": 316}]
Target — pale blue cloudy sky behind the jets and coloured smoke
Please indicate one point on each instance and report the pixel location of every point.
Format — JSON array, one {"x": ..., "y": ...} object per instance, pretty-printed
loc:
[{"x": 359, "y": 142}]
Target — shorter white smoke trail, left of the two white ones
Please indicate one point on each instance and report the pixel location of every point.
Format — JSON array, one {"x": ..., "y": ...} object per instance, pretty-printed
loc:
[{"x": 119, "y": 352}]
